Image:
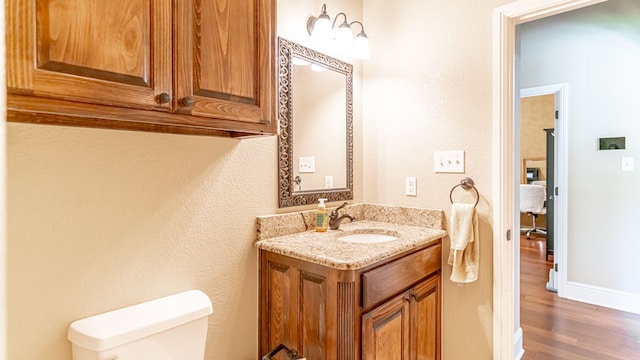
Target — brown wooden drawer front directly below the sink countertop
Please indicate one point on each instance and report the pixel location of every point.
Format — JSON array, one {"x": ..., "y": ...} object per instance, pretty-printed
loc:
[{"x": 395, "y": 277}]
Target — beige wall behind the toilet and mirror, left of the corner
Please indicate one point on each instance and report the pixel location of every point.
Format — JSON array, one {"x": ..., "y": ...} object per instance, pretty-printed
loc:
[{"x": 100, "y": 219}]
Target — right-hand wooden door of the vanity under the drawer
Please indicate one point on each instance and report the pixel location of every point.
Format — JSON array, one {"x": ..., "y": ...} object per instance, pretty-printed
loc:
[{"x": 425, "y": 320}]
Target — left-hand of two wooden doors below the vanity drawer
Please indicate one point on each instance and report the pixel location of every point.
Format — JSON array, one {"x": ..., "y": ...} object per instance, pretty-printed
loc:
[{"x": 385, "y": 330}]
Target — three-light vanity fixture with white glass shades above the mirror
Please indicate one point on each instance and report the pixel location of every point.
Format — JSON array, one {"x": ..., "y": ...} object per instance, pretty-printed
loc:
[{"x": 327, "y": 36}]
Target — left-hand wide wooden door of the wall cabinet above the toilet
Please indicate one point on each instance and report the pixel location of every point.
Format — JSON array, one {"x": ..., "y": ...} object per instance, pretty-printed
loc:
[{"x": 115, "y": 52}]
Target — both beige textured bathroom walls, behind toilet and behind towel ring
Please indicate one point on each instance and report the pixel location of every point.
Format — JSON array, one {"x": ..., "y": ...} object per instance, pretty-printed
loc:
[{"x": 100, "y": 219}]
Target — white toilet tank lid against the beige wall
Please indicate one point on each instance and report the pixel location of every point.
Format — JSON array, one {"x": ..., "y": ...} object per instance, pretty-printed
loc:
[{"x": 108, "y": 330}]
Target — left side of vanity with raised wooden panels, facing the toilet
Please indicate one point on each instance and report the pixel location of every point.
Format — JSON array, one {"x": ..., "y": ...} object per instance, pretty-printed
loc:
[{"x": 298, "y": 307}]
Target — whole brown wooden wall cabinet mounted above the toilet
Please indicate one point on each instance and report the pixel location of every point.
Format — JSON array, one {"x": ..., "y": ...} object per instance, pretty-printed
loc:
[{"x": 189, "y": 66}]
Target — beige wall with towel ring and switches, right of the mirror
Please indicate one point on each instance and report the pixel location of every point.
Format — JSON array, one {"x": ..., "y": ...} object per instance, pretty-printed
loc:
[{"x": 427, "y": 88}]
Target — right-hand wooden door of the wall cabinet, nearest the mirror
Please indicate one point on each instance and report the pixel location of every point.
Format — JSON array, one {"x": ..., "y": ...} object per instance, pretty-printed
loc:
[{"x": 224, "y": 67}]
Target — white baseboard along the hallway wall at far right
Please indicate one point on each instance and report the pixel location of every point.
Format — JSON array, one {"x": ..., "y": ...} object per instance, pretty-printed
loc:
[{"x": 614, "y": 299}]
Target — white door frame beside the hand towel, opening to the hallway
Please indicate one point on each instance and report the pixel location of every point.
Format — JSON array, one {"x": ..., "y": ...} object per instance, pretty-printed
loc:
[{"x": 506, "y": 331}]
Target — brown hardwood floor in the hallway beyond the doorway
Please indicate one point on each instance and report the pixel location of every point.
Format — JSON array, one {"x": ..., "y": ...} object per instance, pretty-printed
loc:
[{"x": 556, "y": 328}]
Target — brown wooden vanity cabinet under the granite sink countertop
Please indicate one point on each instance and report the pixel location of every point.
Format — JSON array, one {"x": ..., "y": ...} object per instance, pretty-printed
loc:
[{"x": 389, "y": 309}]
